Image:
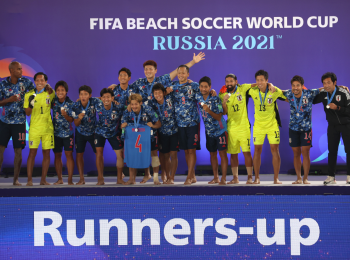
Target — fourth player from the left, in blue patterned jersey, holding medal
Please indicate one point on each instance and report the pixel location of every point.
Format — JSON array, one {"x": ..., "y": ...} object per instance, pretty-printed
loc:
[{"x": 85, "y": 120}]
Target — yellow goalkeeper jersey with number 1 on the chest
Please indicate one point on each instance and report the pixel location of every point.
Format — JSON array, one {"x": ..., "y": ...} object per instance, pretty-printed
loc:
[{"x": 41, "y": 119}]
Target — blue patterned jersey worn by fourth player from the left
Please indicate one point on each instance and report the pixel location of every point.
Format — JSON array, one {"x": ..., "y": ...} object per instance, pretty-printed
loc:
[{"x": 88, "y": 123}]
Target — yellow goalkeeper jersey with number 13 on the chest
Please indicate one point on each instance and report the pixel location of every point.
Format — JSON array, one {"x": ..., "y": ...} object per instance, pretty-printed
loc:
[{"x": 266, "y": 109}]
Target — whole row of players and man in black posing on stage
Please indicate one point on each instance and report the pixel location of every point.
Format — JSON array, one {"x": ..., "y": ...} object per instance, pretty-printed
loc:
[{"x": 148, "y": 121}]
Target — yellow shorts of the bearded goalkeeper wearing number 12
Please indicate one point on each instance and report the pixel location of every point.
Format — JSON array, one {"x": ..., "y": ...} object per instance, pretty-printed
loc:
[{"x": 237, "y": 140}]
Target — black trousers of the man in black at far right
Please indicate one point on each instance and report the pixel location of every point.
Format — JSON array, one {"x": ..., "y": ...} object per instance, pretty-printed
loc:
[{"x": 333, "y": 134}]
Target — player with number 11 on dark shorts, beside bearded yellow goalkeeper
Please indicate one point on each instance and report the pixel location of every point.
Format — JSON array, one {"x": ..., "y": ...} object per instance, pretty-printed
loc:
[{"x": 215, "y": 129}]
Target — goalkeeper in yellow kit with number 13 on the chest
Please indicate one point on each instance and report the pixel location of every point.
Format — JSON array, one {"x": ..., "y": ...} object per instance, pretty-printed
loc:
[{"x": 267, "y": 122}]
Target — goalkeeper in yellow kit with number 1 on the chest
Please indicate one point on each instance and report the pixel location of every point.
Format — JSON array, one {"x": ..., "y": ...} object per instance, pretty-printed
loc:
[{"x": 37, "y": 103}]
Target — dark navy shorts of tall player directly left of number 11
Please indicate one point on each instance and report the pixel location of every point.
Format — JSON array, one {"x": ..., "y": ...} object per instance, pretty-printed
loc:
[{"x": 189, "y": 137}]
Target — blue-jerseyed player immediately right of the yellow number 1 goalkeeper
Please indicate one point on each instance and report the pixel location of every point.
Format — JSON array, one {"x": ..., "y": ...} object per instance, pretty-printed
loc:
[{"x": 62, "y": 108}]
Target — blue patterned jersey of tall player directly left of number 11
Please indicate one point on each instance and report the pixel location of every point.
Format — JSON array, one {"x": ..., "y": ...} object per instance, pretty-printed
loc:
[{"x": 185, "y": 103}]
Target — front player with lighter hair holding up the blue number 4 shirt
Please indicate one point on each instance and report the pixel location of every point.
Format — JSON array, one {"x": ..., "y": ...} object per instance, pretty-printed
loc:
[{"x": 141, "y": 115}]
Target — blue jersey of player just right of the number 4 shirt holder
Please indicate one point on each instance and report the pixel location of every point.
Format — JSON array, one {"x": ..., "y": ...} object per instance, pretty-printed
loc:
[{"x": 166, "y": 112}]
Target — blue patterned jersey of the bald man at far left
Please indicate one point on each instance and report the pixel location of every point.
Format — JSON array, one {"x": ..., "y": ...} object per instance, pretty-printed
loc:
[{"x": 13, "y": 113}]
